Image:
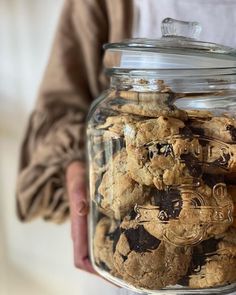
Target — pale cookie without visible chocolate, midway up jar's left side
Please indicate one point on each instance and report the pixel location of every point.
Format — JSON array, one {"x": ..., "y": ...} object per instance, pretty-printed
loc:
[{"x": 118, "y": 191}]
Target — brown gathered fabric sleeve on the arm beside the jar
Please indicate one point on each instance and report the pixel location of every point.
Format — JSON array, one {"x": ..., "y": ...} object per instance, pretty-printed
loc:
[{"x": 55, "y": 134}]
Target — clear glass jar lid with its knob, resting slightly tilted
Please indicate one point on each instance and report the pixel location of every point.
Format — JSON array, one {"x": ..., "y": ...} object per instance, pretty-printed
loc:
[{"x": 178, "y": 48}]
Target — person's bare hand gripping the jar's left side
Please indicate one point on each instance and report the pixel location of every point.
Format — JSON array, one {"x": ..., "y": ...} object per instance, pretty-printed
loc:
[{"x": 76, "y": 189}]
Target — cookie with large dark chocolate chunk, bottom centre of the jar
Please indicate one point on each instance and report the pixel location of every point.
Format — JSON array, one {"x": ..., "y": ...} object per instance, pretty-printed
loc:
[{"x": 146, "y": 262}]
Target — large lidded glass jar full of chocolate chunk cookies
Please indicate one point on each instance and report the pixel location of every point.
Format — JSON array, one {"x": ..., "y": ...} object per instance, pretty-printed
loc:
[{"x": 162, "y": 165}]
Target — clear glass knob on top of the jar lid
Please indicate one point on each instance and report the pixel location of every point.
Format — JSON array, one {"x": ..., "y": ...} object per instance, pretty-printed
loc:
[{"x": 177, "y": 28}]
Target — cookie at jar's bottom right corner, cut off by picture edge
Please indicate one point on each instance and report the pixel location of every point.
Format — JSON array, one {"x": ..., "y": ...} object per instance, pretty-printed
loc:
[{"x": 213, "y": 262}]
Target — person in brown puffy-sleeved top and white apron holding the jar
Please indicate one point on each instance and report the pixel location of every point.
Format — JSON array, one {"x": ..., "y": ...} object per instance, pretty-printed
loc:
[{"x": 52, "y": 178}]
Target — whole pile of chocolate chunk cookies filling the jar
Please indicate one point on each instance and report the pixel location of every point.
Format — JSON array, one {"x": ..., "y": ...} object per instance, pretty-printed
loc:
[{"x": 162, "y": 187}]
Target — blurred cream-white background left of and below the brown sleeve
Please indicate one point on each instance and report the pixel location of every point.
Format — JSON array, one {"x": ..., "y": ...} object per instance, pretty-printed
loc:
[{"x": 35, "y": 258}]
